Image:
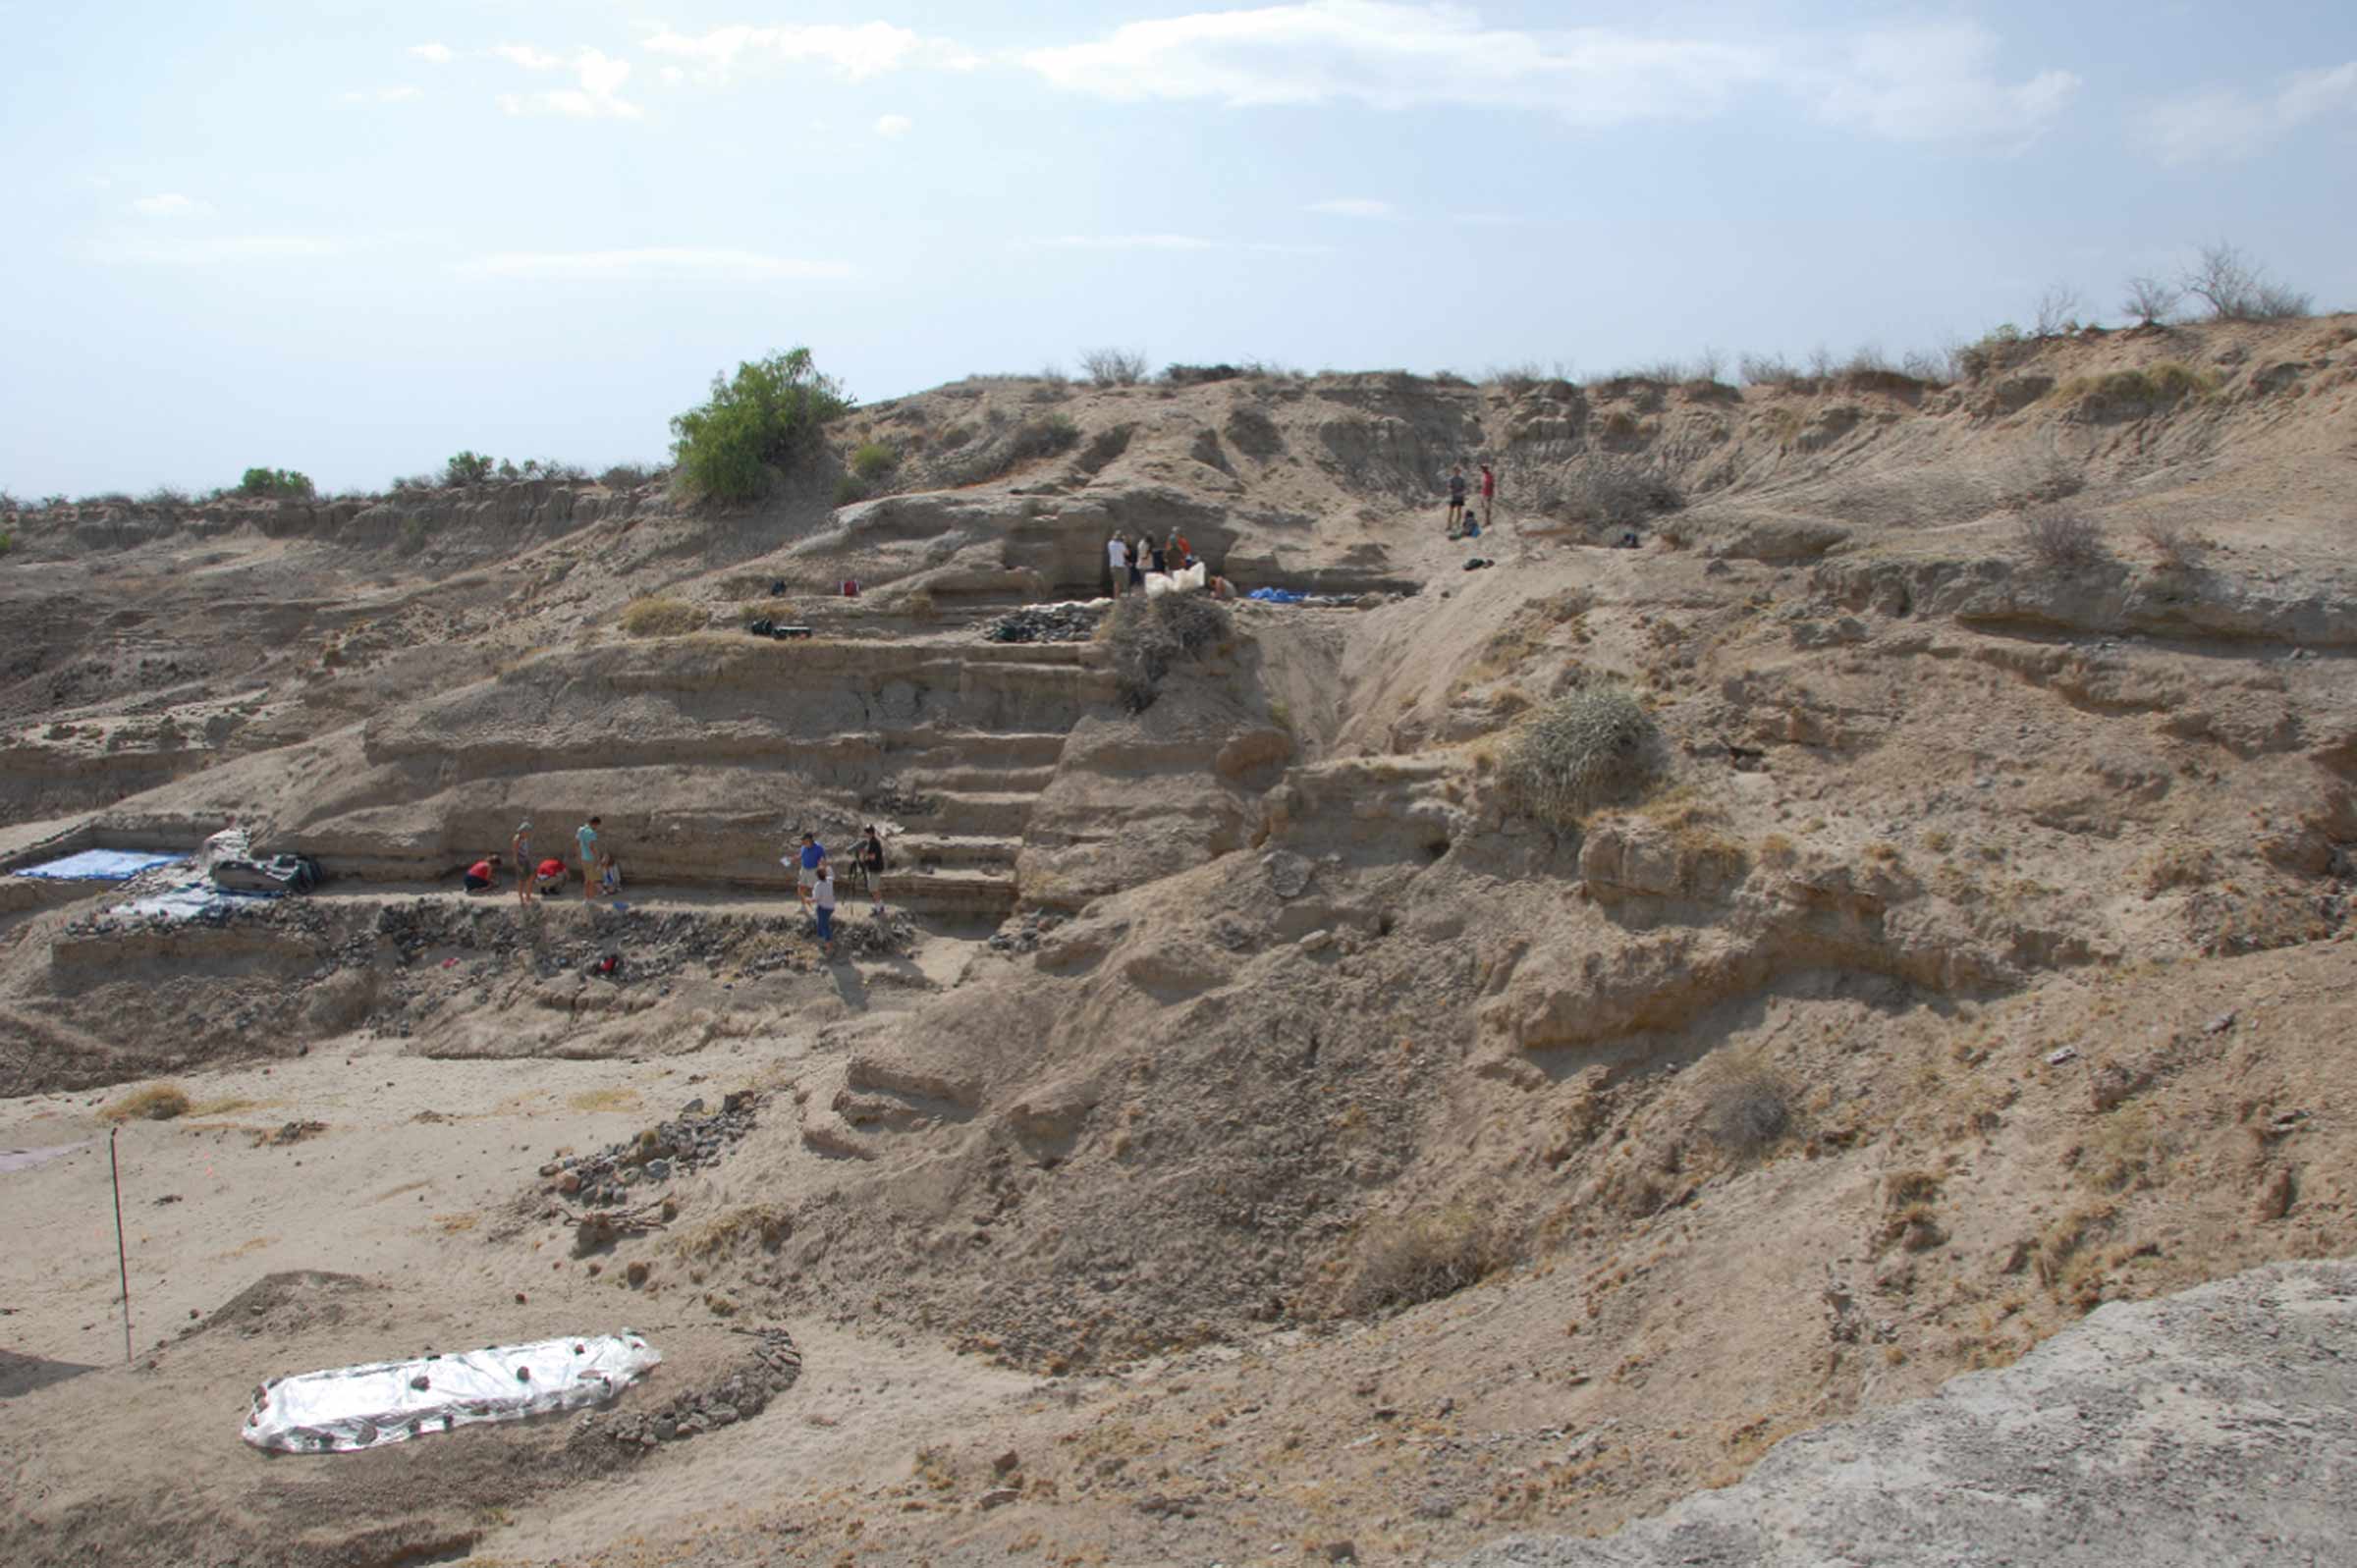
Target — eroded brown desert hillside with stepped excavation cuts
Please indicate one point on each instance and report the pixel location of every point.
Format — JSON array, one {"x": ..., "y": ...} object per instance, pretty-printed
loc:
[{"x": 1260, "y": 1119}]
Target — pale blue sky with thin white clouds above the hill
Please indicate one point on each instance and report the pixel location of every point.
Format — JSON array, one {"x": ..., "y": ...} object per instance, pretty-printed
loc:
[{"x": 355, "y": 239}]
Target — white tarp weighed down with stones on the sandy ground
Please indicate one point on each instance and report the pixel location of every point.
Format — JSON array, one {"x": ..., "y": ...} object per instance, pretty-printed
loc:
[{"x": 350, "y": 1409}]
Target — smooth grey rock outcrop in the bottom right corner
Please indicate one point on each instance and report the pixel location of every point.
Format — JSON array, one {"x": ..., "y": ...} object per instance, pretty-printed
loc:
[{"x": 2205, "y": 1430}]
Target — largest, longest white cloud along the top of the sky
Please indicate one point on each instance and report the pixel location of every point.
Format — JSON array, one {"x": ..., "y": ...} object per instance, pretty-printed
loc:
[{"x": 1908, "y": 81}]
